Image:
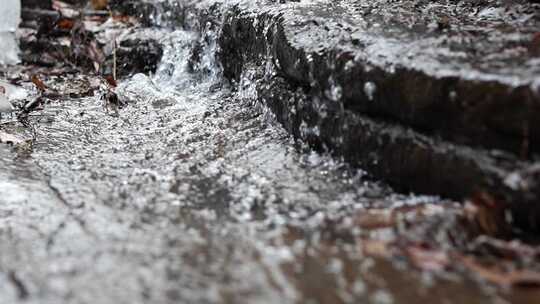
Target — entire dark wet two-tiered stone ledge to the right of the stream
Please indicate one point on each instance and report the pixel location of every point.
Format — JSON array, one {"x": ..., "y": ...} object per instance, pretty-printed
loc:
[{"x": 375, "y": 83}]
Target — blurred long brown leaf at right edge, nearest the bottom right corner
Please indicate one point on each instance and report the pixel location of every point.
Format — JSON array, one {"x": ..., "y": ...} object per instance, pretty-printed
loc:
[{"x": 515, "y": 278}]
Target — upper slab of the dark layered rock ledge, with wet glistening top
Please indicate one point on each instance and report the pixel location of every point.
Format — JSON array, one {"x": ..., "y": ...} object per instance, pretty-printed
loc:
[{"x": 491, "y": 105}]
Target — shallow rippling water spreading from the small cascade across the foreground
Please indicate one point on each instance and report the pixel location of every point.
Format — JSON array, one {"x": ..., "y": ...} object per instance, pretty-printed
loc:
[{"x": 192, "y": 193}]
